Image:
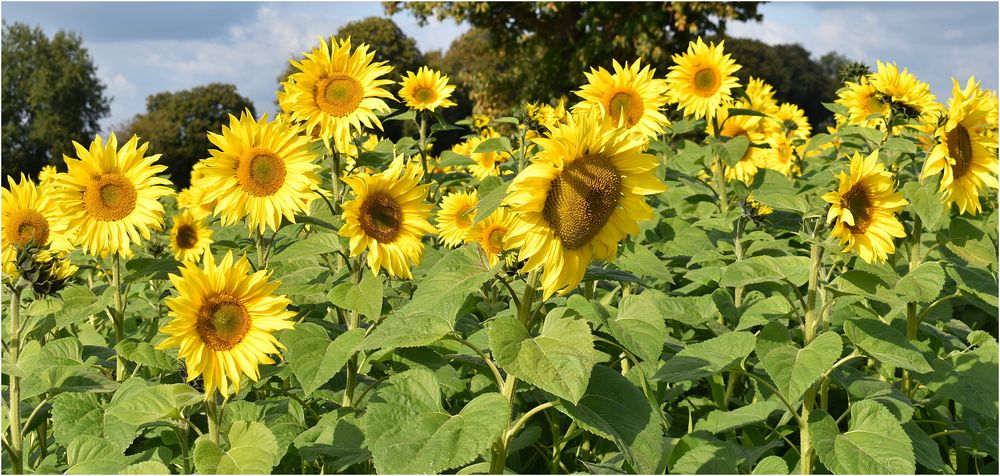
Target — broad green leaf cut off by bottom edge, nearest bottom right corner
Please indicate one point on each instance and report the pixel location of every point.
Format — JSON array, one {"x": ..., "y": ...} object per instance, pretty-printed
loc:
[{"x": 875, "y": 443}]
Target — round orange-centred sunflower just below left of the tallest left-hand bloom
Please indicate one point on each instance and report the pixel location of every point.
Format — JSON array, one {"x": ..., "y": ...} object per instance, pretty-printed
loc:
[{"x": 261, "y": 170}]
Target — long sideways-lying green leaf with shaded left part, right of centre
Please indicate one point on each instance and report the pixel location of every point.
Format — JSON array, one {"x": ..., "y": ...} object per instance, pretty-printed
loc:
[{"x": 707, "y": 358}]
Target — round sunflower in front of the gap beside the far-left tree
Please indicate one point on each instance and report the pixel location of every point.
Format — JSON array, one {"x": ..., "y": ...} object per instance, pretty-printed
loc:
[{"x": 110, "y": 196}]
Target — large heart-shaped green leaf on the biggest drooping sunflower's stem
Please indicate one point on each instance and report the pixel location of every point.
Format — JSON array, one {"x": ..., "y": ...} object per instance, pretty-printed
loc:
[{"x": 558, "y": 361}]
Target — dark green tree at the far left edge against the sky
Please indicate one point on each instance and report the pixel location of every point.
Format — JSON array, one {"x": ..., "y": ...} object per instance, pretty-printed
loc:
[{"x": 51, "y": 97}]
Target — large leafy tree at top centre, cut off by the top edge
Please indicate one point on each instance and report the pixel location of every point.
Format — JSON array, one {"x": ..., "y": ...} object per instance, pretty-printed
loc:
[{"x": 549, "y": 45}]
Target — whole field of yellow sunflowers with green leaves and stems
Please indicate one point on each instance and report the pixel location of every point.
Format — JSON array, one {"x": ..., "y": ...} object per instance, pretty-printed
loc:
[{"x": 669, "y": 273}]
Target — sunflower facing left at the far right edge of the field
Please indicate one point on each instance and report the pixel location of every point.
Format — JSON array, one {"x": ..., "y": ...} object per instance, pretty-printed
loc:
[{"x": 965, "y": 153}]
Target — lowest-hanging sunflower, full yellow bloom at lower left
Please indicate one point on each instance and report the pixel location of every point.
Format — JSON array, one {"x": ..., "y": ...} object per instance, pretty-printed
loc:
[{"x": 223, "y": 321}]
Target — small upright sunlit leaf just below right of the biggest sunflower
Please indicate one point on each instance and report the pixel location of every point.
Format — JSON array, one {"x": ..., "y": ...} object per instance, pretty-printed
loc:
[{"x": 639, "y": 327}]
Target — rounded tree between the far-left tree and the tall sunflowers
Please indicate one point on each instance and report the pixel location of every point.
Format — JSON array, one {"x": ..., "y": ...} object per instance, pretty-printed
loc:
[{"x": 176, "y": 124}]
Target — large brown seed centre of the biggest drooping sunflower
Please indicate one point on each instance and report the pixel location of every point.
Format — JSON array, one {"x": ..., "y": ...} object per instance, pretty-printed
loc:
[{"x": 582, "y": 199}]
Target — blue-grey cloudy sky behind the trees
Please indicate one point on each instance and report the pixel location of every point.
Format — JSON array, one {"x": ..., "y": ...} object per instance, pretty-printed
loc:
[{"x": 142, "y": 48}]
